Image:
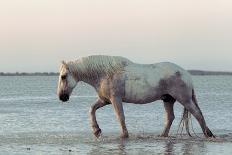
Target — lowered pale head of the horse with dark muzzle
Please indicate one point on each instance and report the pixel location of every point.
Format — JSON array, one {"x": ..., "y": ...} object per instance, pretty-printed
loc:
[{"x": 66, "y": 82}]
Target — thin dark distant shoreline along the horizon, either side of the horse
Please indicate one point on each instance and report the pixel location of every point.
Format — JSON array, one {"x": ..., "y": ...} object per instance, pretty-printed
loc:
[{"x": 193, "y": 72}]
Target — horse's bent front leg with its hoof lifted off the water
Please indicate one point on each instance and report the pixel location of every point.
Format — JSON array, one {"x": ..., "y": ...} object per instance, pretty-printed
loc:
[{"x": 99, "y": 103}]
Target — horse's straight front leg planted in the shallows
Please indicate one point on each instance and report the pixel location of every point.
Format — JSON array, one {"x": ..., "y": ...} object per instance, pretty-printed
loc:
[{"x": 118, "y": 107}]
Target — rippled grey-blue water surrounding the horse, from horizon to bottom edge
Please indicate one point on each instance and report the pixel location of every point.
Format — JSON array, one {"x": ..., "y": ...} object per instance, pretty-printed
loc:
[{"x": 34, "y": 121}]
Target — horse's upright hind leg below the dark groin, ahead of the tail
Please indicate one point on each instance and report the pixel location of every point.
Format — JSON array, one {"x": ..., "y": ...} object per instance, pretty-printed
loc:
[{"x": 169, "y": 113}]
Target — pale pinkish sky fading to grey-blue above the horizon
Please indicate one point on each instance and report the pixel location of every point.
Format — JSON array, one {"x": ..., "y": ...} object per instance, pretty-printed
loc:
[{"x": 36, "y": 35}]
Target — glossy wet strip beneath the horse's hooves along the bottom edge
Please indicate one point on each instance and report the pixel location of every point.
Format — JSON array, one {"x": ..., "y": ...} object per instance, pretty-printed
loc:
[{"x": 136, "y": 144}]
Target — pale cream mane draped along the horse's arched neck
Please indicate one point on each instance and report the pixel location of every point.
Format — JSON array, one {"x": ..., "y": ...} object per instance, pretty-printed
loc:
[{"x": 97, "y": 66}]
